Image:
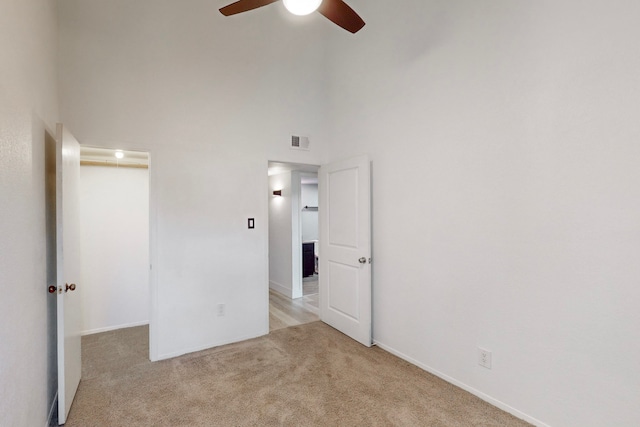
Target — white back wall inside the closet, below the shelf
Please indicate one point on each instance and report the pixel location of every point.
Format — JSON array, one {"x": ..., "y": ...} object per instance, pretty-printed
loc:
[{"x": 114, "y": 242}]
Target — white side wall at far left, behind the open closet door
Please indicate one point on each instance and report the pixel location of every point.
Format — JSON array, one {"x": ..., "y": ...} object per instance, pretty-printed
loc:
[{"x": 28, "y": 106}]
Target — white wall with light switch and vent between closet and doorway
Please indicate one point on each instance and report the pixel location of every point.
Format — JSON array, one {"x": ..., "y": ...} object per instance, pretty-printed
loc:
[{"x": 212, "y": 98}]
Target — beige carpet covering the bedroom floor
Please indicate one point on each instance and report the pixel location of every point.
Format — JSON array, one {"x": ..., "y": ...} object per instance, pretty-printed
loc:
[{"x": 307, "y": 375}]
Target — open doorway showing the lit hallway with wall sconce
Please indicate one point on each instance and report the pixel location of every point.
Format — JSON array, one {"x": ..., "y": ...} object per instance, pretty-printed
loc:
[{"x": 293, "y": 244}]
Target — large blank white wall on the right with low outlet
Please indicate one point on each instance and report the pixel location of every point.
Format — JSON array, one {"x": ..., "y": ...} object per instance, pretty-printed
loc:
[{"x": 504, "y": 144}]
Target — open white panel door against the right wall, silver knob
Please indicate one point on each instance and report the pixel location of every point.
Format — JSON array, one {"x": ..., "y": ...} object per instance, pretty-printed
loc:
[{"x": 345, "y": 247}]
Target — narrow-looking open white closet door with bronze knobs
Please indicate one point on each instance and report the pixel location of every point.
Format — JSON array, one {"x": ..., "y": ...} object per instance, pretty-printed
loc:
[{"x": 68, "y": 265}]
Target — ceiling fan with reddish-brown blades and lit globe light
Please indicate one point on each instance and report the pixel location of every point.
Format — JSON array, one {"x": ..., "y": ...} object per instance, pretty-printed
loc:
[{"x": 336, "y": 11}]
